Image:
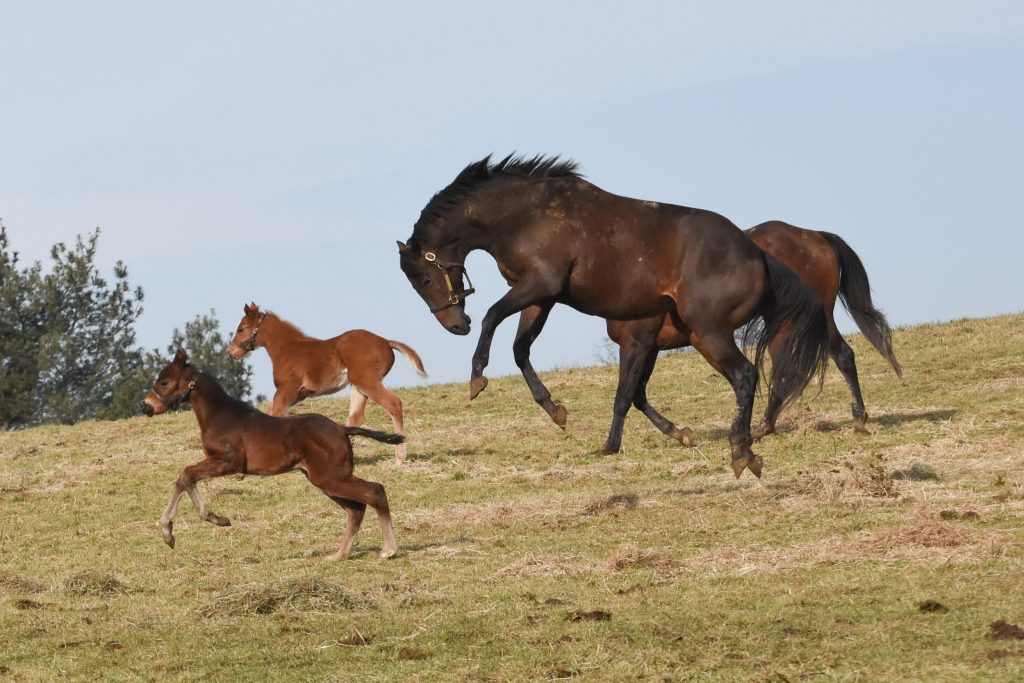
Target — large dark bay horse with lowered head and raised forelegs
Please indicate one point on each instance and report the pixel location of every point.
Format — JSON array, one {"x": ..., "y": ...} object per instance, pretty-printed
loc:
[{"x": 559, "y": 239}]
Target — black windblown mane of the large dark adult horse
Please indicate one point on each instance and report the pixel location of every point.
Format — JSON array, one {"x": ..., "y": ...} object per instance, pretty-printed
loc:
[{"x": 481, "y": 173}]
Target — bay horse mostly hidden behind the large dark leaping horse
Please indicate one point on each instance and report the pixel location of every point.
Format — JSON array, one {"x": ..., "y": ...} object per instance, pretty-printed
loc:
[{"x": 826, "y": 264}]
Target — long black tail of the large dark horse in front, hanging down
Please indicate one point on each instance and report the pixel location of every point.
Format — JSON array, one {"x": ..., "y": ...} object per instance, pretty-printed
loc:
[{"x": 794, "y": 324}]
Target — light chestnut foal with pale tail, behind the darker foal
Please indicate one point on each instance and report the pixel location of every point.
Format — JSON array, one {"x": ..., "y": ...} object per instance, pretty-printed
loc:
[{"x": 306, "y": 367}]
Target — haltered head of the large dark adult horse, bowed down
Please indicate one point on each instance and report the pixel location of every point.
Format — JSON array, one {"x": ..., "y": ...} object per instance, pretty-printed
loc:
[{"x": 439, "y": 282}]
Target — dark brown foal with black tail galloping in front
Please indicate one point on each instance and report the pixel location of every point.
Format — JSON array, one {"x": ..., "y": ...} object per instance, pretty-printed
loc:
[{"x": 240, "y": 440}]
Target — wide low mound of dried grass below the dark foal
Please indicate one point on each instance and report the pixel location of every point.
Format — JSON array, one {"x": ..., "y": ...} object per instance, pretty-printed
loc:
[{"x": 309, "y": 595}]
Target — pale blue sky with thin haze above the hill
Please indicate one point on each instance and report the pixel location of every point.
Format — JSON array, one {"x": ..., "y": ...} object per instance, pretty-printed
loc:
[{"x": 275, "y": 152}]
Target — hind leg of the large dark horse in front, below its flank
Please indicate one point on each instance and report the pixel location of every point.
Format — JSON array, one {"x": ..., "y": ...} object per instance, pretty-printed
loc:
[{"x": 720, "y": 351}]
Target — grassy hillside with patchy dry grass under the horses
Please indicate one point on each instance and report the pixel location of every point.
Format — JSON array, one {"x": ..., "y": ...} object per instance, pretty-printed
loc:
[{"x": 525, "y": 556}]
